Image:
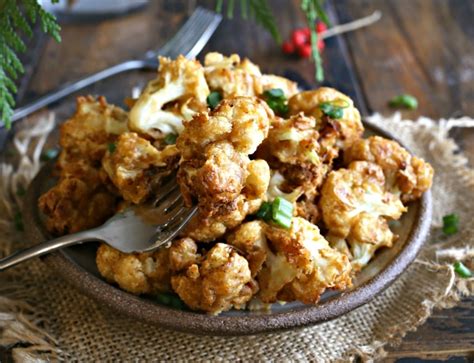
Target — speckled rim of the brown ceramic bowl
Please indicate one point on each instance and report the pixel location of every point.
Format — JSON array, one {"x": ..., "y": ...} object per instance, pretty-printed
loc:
[{"x": 147, "y": 311}]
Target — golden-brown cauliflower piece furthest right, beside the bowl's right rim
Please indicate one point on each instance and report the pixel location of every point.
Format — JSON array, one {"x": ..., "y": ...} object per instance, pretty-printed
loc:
[{"x": 404, "y": 173}]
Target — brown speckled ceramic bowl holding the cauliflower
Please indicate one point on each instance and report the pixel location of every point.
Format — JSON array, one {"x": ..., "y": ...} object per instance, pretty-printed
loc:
[{"x": 77, "y": 266}]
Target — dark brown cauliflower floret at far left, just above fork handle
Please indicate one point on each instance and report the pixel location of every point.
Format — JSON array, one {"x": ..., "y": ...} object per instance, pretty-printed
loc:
[{"x": 78, "y": 201}]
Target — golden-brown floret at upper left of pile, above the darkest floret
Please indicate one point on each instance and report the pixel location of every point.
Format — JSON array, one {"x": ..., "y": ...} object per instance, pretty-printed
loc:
[{"x": 88, "y": 132}]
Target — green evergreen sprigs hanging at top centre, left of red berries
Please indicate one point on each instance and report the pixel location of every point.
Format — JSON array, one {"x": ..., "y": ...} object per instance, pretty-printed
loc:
[{"x": 260, "y": 11}]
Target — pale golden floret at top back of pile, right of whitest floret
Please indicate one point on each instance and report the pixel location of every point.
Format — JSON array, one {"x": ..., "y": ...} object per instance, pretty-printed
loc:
[{"x": 234, "y": 77}]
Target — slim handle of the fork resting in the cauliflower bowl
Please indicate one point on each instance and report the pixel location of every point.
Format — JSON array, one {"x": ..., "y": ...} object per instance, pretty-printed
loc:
[{"x": 45, "y": 247}]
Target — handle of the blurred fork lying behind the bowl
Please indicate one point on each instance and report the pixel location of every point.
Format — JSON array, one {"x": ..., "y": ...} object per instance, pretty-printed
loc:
[{"x": 70, "y": 88}]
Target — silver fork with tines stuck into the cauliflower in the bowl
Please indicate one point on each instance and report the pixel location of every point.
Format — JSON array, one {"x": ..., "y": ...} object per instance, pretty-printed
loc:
[{"x": 128, "y": 231}]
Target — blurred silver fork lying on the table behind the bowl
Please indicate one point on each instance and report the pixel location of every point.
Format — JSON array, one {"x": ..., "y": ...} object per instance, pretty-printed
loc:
[{"x": 189, "y": 41}]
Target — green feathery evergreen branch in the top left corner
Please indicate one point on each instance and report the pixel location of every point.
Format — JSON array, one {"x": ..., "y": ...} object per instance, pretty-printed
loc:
[{"x": 18, "y": 17}]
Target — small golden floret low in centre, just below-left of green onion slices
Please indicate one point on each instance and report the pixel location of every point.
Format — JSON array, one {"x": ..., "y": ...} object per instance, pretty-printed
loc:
[{"x": 251, "y": 240}]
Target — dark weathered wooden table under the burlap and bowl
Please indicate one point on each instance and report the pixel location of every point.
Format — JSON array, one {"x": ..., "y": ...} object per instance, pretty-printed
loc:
[{"x": 422, "y": 47}]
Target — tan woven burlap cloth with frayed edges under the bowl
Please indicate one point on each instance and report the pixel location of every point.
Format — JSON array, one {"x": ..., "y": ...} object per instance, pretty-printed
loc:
[{"x": 46, "y": 319}]
